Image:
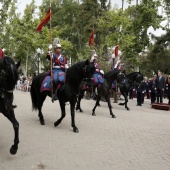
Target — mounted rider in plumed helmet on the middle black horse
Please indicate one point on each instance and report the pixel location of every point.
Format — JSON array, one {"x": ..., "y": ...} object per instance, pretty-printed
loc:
[{"x": 98, "y": 74}]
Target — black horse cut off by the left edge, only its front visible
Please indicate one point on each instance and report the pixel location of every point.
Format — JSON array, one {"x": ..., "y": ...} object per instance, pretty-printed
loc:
[{"x": 8, "y": 80}]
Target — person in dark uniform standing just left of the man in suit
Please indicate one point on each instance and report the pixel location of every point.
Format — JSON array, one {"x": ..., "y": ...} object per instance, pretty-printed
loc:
[{"x": 152, "y": 86}]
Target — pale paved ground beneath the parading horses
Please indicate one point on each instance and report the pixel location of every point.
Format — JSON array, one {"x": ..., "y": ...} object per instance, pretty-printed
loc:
[{"x": 136, "y": 140}]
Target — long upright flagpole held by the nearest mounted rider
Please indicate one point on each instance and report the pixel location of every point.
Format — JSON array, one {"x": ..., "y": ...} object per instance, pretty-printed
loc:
[{"x": 51, "y": 54}]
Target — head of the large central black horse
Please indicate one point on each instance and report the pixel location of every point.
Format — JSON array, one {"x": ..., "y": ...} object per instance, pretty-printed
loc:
[{"x": 88, "y": 69}]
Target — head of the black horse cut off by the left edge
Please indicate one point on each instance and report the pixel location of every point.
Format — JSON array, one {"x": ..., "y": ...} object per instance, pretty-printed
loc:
[{"x": 8, "y": 74}]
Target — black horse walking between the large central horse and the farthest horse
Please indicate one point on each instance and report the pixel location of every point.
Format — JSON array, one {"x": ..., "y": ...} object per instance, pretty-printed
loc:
[{"x": 104, "y": 89}]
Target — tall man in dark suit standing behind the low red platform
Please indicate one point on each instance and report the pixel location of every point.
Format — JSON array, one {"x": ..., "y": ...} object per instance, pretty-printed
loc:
[{"x": 160, "y": 85}]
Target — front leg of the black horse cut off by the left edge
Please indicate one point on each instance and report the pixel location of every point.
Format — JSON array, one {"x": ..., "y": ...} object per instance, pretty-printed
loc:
[{"x": 11, "y": 116}]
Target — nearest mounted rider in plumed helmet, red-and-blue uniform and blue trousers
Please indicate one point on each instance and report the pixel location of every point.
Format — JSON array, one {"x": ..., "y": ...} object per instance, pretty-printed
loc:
[{"x": 59, "y": 66}]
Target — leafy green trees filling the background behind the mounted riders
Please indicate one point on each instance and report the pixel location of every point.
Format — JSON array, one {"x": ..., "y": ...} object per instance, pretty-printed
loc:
[{"x": 72, "y": 23}]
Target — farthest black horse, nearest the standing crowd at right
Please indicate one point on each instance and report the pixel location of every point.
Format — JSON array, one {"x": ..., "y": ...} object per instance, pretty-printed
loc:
[{"x": 125, "y": 87}]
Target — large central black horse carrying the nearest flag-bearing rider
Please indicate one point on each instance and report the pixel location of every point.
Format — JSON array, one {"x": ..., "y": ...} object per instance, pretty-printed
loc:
[{"x": 74, "y": 76}]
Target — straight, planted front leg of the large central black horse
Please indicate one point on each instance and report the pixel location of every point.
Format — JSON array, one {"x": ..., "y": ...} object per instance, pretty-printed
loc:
[{"x": 72, "y": 108}]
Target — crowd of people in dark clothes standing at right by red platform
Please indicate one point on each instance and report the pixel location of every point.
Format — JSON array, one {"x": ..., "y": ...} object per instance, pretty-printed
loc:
[{"x": 156, "y": 89}]
